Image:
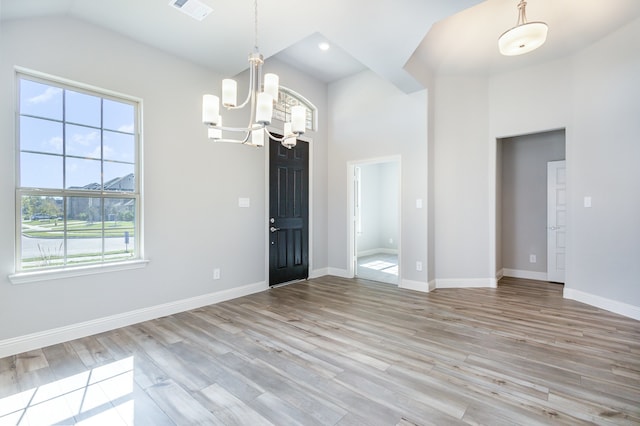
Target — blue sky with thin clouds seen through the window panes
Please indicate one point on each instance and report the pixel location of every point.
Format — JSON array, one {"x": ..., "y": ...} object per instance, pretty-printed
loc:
[{"x": 92, "y": 137}]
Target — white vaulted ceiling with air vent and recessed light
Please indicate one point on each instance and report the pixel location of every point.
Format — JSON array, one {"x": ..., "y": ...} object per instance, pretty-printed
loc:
[{"x": 381, "y": 35}]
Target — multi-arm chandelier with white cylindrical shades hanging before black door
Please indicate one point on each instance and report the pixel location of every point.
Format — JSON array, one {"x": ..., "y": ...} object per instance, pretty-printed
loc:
[{"x": 261, "y": 98}]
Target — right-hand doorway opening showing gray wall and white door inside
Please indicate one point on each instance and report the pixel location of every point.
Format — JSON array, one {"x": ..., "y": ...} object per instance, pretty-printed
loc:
[{"x": 527, "y": 232}]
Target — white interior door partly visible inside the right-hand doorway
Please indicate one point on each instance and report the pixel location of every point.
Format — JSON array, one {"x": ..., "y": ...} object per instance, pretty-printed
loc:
[{"x": 556, "y": 220}]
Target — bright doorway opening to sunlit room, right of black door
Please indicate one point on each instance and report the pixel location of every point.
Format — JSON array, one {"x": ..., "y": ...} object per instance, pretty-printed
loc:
[{"x": 375, "y": 225}]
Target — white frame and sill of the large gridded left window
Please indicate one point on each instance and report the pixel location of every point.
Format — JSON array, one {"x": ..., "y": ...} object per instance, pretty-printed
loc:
[{"x": 22, "y": 275}]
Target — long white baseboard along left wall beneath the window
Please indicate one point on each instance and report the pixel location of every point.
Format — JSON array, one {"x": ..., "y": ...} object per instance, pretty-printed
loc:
[{"x": 42, "y": 339}]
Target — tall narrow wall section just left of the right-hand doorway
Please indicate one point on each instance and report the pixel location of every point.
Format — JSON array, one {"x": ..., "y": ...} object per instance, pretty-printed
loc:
[{"x": 462, "y": 189}]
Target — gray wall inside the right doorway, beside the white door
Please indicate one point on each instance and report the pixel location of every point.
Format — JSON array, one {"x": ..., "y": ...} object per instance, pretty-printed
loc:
[{"x": 524, "y": 197}]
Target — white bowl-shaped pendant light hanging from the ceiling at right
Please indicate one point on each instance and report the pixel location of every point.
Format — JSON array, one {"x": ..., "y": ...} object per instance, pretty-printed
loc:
[{"x": 524, "y": 37}]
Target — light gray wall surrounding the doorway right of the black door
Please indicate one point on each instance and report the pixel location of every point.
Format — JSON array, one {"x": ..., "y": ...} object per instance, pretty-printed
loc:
[{"x": 370, "y": 118}]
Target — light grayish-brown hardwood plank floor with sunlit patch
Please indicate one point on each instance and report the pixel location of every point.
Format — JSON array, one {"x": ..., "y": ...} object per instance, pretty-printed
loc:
[{"x": 333, "y": 351}]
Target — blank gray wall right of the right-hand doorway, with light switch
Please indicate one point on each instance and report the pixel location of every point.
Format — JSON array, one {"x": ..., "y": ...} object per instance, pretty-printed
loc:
[{"x": 603, "y": 154}]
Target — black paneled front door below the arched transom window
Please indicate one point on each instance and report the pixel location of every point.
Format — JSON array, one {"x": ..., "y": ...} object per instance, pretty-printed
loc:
[{"x": 288, "y": 212}]
